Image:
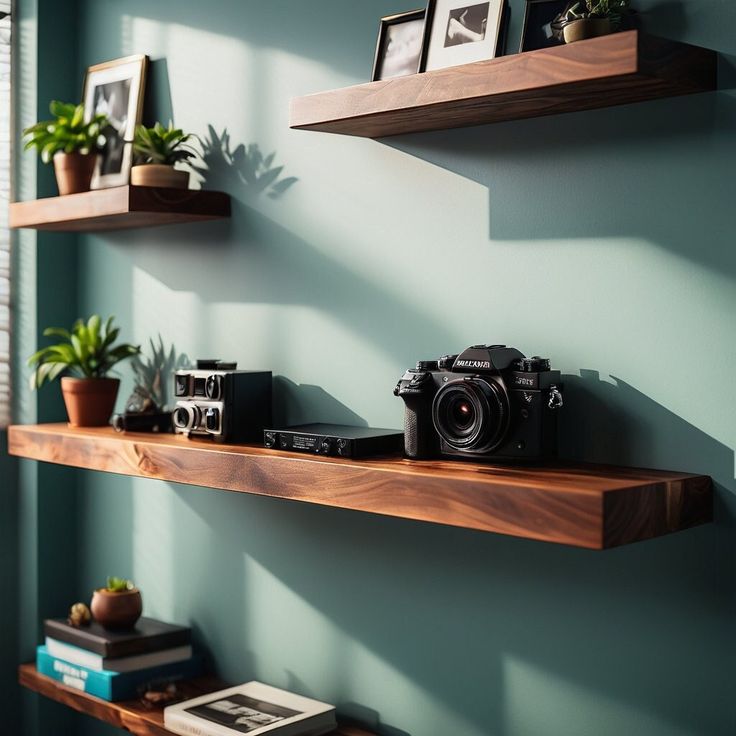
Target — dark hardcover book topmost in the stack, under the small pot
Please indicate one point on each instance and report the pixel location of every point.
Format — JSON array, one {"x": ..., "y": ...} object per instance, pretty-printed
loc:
[{"x": 148, "y": 635}]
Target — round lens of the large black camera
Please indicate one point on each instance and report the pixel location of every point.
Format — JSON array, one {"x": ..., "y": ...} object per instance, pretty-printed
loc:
[{"x": 471, "y": 414}]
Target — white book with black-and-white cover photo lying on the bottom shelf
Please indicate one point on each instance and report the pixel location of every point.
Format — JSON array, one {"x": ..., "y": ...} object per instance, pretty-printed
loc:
[{"x": 252, "y": 708}]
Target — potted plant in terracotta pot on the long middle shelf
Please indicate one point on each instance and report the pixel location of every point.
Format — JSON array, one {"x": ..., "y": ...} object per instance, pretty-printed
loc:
[{"x": 88, "y": 354}]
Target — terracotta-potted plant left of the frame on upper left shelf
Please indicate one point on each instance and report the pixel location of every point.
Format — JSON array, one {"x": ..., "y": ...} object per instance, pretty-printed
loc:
[{"x": 71, "y": 142}]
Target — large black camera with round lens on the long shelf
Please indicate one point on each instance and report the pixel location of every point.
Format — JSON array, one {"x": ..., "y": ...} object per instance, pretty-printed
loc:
[{"x": 488, "y": 403}]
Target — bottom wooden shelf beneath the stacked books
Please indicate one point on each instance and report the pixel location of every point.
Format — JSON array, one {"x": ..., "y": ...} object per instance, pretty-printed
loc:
[{"x": 129, "y": 715}]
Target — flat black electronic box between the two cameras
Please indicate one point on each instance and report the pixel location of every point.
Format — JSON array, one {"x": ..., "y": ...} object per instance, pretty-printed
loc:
[{"x": 336, "y": 440}]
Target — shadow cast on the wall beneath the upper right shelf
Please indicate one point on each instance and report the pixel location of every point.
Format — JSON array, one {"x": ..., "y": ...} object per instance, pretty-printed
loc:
[{"x": 659, "y": 170}]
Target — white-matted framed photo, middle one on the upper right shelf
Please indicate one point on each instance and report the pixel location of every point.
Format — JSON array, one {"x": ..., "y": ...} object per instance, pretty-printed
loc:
[{"x": 461, "y": 32}]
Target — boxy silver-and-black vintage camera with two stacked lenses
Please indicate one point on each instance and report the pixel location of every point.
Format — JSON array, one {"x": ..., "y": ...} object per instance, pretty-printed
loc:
[{"x": 216, "y": 400}]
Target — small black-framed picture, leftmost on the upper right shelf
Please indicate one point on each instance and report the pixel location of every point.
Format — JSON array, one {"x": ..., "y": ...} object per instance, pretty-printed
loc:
[{"x": 399, "y": 47}]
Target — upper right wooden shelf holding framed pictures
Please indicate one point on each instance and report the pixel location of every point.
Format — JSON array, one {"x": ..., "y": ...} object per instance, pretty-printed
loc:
[{"x": 601, "y": 72}]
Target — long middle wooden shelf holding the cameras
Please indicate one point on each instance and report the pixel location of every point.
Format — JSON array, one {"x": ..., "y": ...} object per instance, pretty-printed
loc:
[{"x": 582, "y": 505}]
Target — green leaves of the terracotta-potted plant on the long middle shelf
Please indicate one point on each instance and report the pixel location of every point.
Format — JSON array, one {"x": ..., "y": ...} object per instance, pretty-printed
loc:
[{"x": 87, "y": 351}]
